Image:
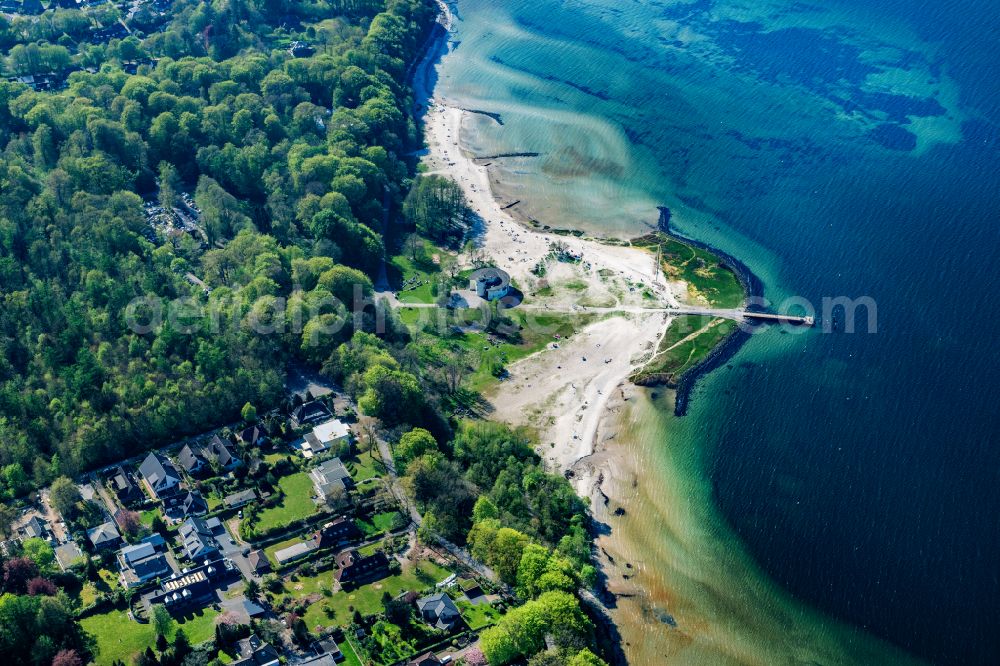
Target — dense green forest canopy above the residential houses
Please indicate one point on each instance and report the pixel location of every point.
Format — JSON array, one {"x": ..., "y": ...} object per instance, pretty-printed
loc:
[{"x": 290, "y": 160}]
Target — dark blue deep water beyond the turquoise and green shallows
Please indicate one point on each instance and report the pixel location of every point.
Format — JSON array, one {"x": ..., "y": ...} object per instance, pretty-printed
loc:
[{"x": 864, "y": 471}]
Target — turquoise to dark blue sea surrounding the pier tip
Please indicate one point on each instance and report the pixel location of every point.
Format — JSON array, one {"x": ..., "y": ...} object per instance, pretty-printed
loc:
[{"x": 838, "y": 149}]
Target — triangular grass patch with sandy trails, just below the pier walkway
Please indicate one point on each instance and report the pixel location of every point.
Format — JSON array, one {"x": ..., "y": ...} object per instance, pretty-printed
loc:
[{"x": 676, "y": 353}]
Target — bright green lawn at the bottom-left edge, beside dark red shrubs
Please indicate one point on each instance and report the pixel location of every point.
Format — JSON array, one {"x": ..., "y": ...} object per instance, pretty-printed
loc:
[{"x": 118, "y": 637}]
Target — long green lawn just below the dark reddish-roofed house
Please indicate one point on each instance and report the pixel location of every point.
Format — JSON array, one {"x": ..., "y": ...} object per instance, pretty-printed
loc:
[{"x": 367, "y": 599}]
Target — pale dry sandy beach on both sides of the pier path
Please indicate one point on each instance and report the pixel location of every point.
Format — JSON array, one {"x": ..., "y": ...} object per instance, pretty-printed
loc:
[{"x": 563, "y": 391}]
